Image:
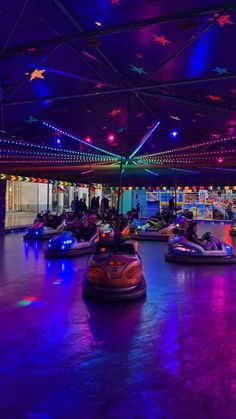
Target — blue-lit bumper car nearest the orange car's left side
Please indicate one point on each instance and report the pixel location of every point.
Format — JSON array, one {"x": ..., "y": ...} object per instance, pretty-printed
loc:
[{"x": 66, "y": 246}]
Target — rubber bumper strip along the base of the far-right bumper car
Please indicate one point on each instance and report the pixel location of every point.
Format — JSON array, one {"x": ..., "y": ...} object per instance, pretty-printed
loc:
[{"x": 200, "y": 260}]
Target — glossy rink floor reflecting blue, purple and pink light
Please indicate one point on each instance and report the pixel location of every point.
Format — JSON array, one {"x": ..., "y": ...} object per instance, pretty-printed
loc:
[{"x": 170, "y": 356}]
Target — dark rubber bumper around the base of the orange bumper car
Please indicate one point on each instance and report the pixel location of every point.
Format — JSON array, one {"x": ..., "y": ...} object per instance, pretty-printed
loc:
[{"x": 114, "y": 294}]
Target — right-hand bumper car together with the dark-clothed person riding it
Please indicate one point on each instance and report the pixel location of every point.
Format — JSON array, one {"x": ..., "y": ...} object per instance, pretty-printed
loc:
[{"x": 189, "y": 248}]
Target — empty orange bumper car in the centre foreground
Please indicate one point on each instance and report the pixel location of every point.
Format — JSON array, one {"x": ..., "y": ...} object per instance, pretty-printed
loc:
[{"x": 115, "y": 273}]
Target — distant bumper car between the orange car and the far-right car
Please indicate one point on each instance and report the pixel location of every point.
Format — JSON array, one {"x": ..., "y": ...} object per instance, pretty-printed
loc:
[{"x": 153, "y": 232}]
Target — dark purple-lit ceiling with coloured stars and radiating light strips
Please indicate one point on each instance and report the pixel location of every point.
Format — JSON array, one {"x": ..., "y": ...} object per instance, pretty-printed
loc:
[{"x": 86, "y": 86}]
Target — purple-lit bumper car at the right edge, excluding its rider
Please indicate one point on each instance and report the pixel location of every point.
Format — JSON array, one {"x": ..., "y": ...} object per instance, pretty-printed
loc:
[{"x": 180, "y": 250}]
